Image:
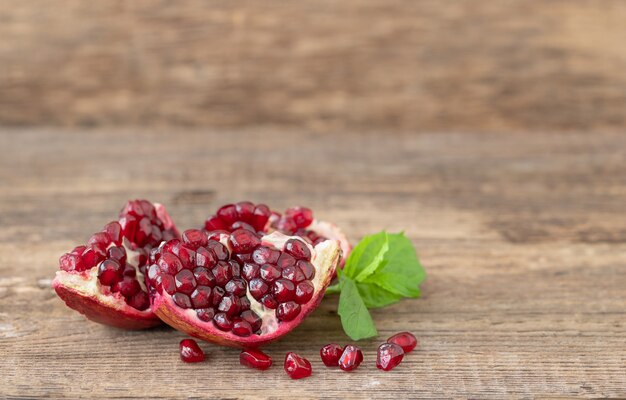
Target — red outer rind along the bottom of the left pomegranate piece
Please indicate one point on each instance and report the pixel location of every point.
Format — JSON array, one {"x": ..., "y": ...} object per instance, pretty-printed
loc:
[{"x": 95, "y": 310}]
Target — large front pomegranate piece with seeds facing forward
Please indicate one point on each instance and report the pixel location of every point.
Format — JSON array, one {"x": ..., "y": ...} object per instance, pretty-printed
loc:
[{"x": 239, "y": 289}]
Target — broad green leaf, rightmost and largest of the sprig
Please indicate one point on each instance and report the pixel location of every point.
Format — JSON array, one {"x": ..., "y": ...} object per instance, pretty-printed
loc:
[{"x": 400, "y": 272}]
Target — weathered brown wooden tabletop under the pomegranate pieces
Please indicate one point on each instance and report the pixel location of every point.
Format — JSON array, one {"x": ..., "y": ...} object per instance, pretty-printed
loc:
[{"x": 523, "y": 238}]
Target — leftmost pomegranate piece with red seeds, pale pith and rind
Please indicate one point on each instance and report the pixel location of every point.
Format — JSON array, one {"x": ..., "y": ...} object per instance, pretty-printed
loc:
[{"x": 104, "y": 279}]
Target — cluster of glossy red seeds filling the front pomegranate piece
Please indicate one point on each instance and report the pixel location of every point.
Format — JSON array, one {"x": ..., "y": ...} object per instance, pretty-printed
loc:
[{"x": 202, "y": 274}]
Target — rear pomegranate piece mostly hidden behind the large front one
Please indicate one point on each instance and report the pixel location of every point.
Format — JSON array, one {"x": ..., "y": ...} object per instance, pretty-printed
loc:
[{"x": 296, "y": 221}]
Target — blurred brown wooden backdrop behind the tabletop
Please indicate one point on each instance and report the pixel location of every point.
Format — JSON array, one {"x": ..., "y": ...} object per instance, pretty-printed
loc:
[{"x": 469, "y": 65}]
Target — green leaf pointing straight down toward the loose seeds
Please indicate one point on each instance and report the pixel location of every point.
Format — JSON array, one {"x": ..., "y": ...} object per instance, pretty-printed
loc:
[{"x": 355, "y": 319}]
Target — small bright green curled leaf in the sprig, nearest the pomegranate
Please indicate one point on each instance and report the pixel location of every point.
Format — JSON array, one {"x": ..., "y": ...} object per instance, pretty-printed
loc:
[{"x": 366, "y": 256}]
